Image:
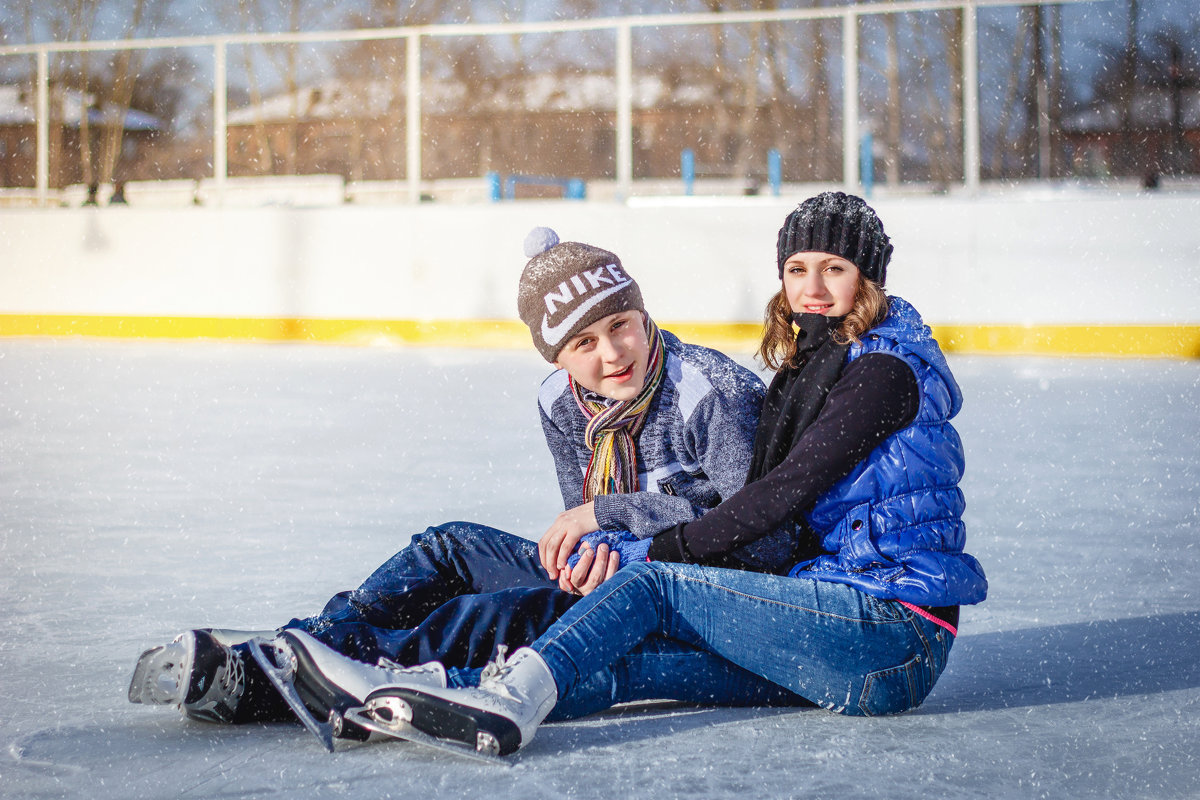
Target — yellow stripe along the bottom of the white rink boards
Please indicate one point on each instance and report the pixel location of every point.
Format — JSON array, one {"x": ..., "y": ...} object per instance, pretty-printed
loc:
[{"x": 1149, "y": 341}]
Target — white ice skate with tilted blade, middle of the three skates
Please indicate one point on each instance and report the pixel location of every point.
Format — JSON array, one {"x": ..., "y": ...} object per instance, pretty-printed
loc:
[{"x": 321, "y": 685}]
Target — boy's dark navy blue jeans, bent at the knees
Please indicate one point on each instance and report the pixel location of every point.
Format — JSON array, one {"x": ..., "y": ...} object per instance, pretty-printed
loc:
[{"x": 452, "y": 596}]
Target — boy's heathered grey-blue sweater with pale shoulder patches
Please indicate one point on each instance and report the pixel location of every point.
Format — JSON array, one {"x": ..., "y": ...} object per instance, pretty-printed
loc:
[{"x": 693, "y": 452}]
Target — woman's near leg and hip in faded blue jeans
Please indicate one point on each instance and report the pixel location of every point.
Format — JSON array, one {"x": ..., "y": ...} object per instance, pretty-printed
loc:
[{"x": 830, "y": 643}]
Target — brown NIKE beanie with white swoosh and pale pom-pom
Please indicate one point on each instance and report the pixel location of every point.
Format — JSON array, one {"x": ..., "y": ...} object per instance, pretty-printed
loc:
[{"x": 568, "y": 286}]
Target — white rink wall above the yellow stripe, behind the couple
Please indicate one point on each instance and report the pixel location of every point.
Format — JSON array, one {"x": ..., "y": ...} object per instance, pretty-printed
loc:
[{"x": 1023, "y": 258}]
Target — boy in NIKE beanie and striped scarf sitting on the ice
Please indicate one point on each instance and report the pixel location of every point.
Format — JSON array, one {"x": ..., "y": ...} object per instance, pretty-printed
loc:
[{"x": 646, "y": 432}]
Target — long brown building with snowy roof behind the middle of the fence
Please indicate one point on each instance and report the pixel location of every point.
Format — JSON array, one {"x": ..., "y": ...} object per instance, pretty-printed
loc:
[{"x": 512, "y": 127}]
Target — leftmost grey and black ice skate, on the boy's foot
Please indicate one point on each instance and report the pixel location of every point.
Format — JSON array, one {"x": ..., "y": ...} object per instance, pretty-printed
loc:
[{"x": 197, "y": 672}]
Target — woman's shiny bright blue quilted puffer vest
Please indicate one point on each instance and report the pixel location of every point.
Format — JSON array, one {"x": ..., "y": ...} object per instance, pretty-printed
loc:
[{"x": 893, "y": 528}]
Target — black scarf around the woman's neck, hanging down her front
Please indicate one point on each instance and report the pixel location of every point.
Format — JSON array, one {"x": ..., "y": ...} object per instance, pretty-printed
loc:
[{"x": 797, "y": 394}]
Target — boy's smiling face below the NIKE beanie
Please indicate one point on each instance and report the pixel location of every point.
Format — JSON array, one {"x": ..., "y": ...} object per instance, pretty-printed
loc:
[{"x": 609, "y": 357}]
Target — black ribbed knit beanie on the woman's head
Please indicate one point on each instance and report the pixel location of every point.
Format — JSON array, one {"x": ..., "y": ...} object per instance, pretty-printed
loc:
[{"x": 839, "y": 224}]
